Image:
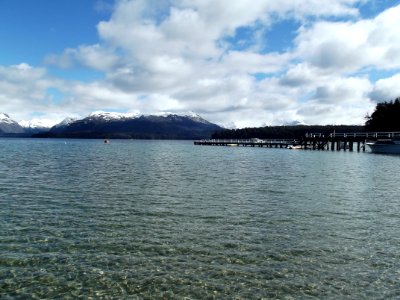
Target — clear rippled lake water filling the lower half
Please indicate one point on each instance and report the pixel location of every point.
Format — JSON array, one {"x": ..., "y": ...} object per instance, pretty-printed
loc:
[{"x": 167, "y": 219}]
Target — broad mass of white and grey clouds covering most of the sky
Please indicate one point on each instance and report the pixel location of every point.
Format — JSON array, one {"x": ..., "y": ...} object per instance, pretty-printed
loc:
[{"x": 178, "y": 56}]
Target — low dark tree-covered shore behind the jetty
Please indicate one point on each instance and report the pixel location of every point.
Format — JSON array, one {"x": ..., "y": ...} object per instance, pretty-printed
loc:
[{"x": 283, "y": 132}]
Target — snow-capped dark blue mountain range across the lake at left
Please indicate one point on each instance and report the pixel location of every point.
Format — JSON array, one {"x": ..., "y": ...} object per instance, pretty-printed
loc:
[{"x": 115, "y": 125}]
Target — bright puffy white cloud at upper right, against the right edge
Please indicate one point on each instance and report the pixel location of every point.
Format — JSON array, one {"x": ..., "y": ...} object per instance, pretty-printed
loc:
[{"x": 351, "y": 46}]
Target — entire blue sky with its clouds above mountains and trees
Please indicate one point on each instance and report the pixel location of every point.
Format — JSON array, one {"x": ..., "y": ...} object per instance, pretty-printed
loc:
[{"x": 242, "y": 63}]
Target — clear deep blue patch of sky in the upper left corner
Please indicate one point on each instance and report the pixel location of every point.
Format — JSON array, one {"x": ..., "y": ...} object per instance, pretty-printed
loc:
[{"x": 32, "y": 29}]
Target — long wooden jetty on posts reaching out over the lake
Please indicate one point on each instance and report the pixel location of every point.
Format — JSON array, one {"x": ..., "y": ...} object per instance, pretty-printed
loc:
[{"x": 312, "y": 141}]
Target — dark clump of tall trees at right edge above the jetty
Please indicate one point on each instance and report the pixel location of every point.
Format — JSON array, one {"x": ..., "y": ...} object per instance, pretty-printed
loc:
[{"x": 386, "y": 117}]
